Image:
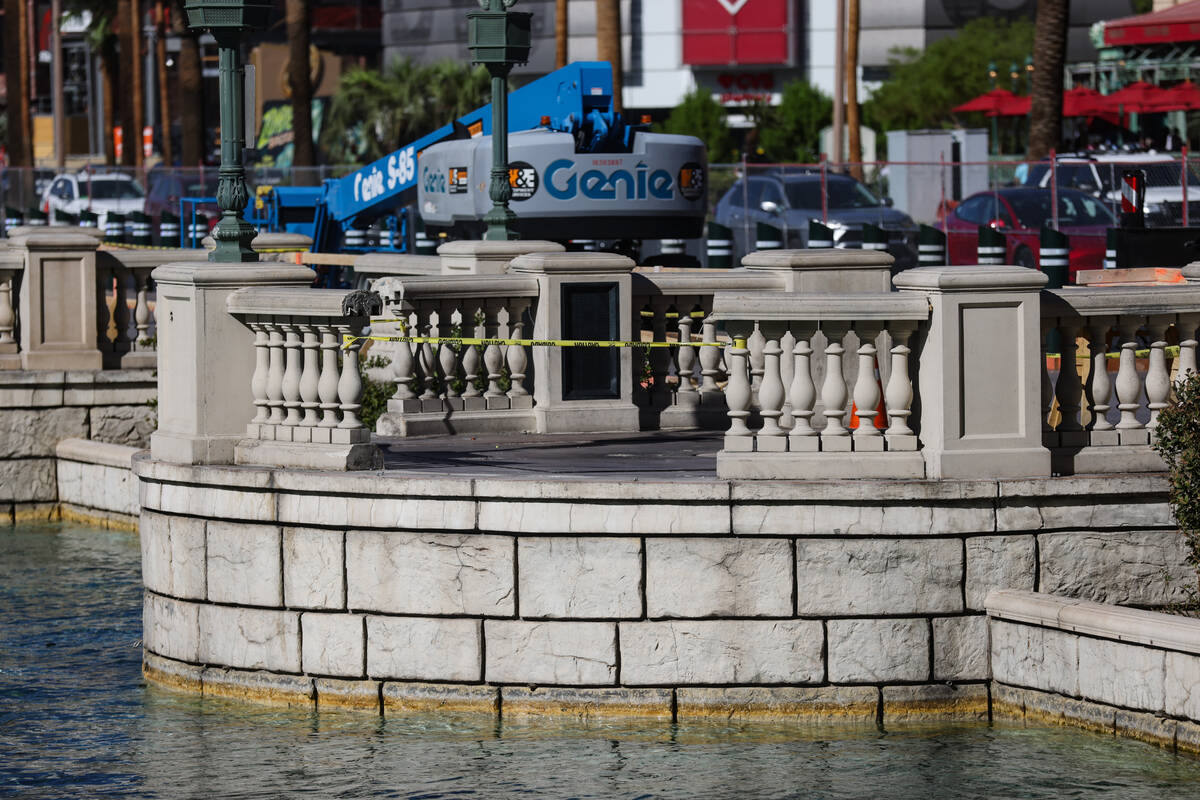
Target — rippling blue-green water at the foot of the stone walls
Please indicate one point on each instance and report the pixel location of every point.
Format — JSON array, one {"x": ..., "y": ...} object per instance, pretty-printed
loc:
[{"x": 79, "y": 721}]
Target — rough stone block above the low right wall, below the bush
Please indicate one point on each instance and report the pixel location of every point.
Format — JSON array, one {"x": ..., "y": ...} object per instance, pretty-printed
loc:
[{"x": 1143, "y": 568}]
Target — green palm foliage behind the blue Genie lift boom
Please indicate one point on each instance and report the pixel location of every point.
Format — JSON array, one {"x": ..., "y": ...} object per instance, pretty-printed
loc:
[{"x": 376, "y": 112}]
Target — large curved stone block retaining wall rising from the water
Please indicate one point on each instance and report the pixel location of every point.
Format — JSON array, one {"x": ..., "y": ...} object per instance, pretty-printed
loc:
[{"x": 668, "y": 598}]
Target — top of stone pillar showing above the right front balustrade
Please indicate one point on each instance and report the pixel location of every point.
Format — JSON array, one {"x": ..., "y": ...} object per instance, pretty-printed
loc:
[{"x": 826, "y": 270}]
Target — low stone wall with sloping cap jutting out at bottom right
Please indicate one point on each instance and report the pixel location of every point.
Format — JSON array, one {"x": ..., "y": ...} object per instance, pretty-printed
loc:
[{"x": 1108, "y": 669}]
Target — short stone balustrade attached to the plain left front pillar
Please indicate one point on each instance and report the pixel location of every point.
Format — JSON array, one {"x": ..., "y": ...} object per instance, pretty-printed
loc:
[{"x": 307, "y": 387}]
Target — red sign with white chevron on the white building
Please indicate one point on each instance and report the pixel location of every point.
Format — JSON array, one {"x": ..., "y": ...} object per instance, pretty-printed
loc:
[{"x": 719, "y": 33}]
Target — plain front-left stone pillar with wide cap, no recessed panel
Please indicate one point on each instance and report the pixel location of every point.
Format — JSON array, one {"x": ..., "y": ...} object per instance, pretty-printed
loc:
[{"x": 207, "y": 358}]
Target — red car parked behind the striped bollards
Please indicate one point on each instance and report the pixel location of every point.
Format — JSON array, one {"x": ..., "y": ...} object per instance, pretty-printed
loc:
[{"x": 1019, "y": 213}]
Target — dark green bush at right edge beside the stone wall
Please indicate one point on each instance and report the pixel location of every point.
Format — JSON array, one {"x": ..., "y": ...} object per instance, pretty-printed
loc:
[{"x": 1178, "y": 441}]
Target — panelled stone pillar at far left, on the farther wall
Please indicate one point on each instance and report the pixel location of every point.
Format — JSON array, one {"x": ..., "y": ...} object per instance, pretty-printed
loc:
[{"x": 58, "y": 300}]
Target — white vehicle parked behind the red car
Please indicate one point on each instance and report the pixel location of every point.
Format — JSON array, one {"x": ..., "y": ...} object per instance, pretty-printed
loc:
[{"x": 1101, "y": 177}]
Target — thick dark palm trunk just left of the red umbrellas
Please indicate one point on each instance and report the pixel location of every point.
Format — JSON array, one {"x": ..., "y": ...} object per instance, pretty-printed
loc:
[{"x": 1049, "y": 55}]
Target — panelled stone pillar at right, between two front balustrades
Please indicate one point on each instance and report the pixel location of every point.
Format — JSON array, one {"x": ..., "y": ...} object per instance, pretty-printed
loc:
[{"x": 981, "y": 371}]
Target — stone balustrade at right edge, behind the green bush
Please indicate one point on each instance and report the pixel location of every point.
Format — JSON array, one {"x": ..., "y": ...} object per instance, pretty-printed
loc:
[{"x": 1097, "y": 422}]
